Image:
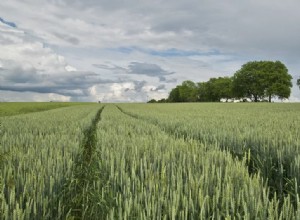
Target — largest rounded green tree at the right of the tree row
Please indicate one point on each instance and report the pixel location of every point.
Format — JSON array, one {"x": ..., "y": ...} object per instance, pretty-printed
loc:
[{"x": 262, "y": 79}]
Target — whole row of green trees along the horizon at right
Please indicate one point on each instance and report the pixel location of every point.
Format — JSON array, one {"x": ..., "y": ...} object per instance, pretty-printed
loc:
[{"x": 256, "y": 80}]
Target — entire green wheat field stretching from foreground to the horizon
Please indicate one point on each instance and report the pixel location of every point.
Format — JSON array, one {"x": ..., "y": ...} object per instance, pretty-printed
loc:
[{"x": 149, "y": 161}]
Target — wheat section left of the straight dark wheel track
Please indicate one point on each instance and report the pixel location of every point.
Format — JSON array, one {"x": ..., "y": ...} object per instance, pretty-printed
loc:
[{"x": 37, "y": 153}]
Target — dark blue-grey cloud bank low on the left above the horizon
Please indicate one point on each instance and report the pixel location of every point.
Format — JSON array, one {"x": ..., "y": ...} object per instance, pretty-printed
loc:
[{"x": 73, "y": 83}]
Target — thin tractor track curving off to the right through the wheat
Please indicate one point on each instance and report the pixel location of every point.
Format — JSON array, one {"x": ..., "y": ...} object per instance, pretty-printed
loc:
[{"x": 253, "y": 163}]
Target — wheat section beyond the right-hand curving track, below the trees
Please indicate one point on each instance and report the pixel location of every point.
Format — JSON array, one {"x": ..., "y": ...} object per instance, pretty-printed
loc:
[{"x": 269, "y": 133}]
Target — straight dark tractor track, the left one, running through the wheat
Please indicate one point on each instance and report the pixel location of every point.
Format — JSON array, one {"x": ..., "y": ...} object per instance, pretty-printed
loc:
[{"x": 75, "y": 195}]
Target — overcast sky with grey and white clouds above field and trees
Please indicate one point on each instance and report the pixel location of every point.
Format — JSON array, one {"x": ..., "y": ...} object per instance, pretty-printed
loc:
[{"x": 137, "y": 50}]
